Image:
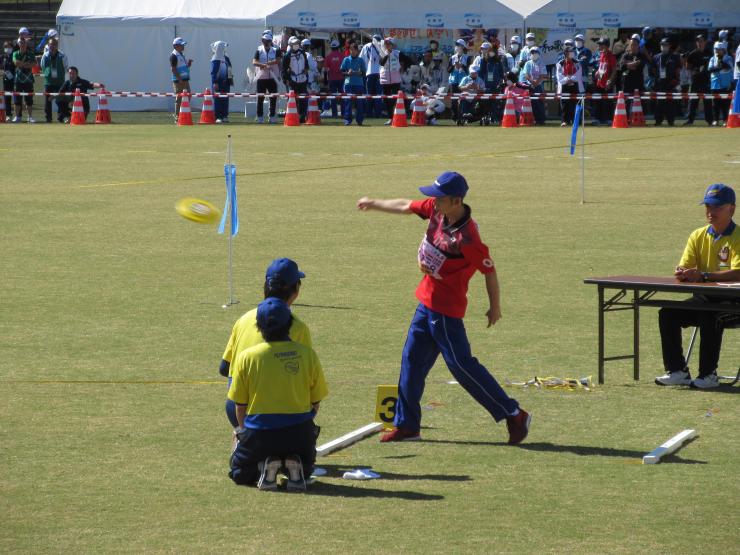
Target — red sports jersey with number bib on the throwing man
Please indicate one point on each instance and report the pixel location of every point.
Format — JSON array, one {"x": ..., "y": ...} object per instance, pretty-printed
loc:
[{"x": 453, "y": 253}]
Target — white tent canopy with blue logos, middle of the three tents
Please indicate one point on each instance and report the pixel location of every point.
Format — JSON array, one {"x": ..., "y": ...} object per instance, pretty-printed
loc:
[{"x": 440, "y": 14}]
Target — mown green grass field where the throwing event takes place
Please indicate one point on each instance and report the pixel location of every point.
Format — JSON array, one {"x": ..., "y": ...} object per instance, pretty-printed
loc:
[{"x": 112, "y": 432}]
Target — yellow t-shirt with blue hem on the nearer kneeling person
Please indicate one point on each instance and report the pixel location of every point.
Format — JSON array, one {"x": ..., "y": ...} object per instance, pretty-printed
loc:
[{"x": 277, "y": 382}]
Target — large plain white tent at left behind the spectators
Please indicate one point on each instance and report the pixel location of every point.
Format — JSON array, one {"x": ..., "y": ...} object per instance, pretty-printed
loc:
[{"x": 126, "y": 45}]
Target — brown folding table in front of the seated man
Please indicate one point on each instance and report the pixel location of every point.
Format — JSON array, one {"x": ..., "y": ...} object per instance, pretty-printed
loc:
[{"x": 643, "y": 294}]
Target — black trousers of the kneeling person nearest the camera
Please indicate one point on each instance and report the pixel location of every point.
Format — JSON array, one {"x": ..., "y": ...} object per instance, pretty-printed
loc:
[{"x": 256, "y": 445}]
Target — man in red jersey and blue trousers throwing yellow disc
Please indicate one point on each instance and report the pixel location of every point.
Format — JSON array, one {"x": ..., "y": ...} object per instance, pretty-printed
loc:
[{"x": 449, "y": 255}]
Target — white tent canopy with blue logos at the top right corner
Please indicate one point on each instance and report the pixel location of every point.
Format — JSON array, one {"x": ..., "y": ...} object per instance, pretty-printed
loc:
[{"x": 597, "y": 14}]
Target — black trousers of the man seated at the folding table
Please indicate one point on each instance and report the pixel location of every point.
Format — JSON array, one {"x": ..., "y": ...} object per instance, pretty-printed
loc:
[{"x": 672, "y": 320}]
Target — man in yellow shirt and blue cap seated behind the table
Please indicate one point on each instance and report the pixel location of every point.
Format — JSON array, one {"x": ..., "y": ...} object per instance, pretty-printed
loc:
[{"x": 712, "y": 254}]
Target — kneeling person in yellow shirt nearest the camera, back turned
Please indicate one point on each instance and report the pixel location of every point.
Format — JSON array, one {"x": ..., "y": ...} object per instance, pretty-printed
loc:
[{"x": 277, "y": 387}]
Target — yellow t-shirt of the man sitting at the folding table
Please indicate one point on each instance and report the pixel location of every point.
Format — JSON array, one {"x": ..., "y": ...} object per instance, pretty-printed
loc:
[{"x": 709, "y": 254}]
